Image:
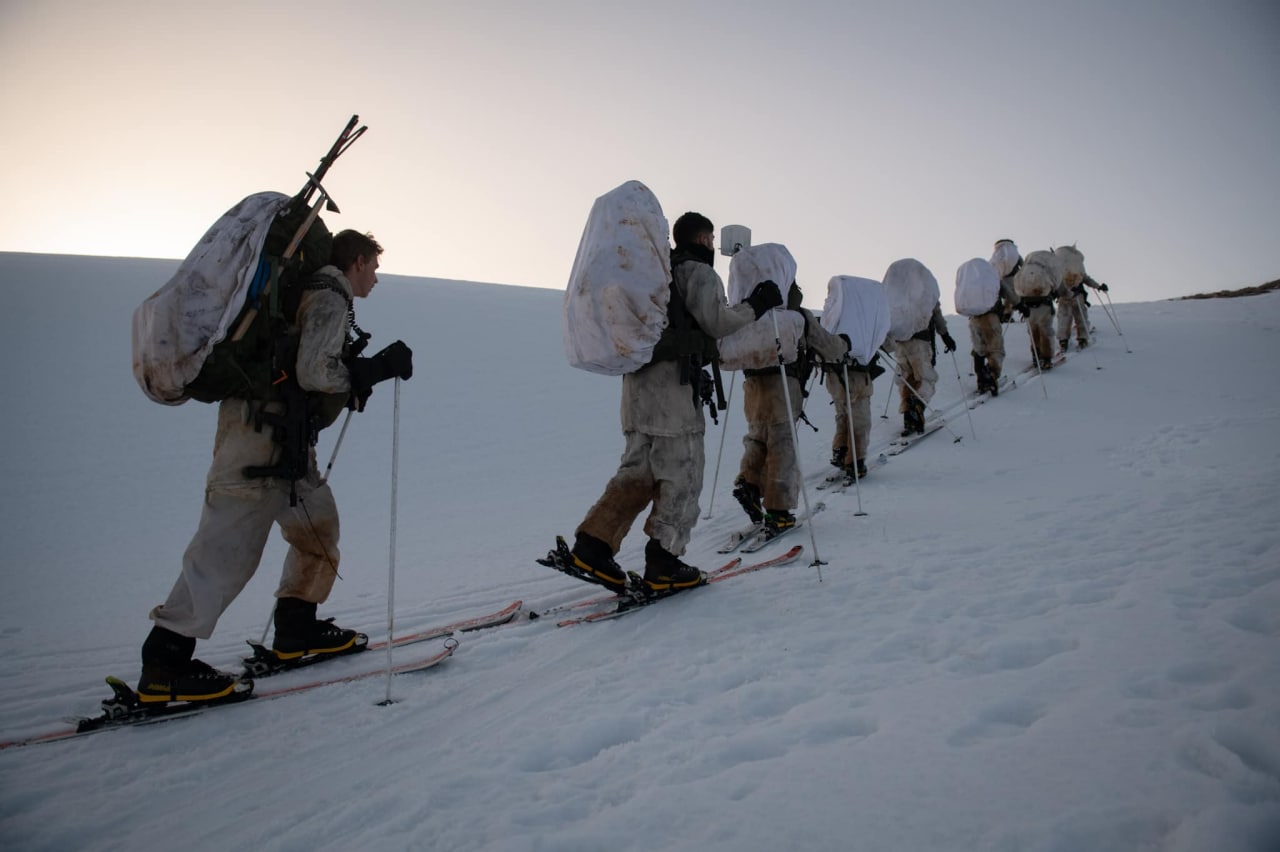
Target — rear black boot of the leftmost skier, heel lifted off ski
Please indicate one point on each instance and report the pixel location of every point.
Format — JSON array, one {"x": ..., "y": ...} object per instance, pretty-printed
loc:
[{"x": 170, "y": 674}]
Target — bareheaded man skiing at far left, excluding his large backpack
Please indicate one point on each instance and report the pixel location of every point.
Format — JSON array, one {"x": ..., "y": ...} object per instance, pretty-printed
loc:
[{"x": 241, "y": 510}]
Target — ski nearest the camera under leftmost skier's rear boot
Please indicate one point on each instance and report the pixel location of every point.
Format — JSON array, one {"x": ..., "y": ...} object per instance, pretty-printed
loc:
[{"x": 124, "y": 708}]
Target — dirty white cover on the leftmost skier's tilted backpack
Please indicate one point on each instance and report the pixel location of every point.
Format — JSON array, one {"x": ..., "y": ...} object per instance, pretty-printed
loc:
[{"x": 179, "y": 326}]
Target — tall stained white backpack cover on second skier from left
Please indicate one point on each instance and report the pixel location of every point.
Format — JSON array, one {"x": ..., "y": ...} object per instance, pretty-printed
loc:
[{"x": 616, "y": 301}]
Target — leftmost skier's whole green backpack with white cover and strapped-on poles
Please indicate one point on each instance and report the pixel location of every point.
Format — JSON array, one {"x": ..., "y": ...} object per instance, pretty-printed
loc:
[{"x": 209, "y": 333}]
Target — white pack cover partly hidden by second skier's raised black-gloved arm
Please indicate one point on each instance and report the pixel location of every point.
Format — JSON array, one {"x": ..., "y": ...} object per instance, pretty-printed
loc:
[{"x": 756, "y": 347}]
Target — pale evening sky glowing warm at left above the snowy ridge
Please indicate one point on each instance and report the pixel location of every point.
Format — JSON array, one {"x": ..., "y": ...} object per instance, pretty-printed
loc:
[{"x": 857, "y": 134}]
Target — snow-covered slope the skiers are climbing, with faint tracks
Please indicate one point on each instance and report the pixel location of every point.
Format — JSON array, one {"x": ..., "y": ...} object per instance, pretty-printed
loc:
[{"x": 1062, "y": 634}]
